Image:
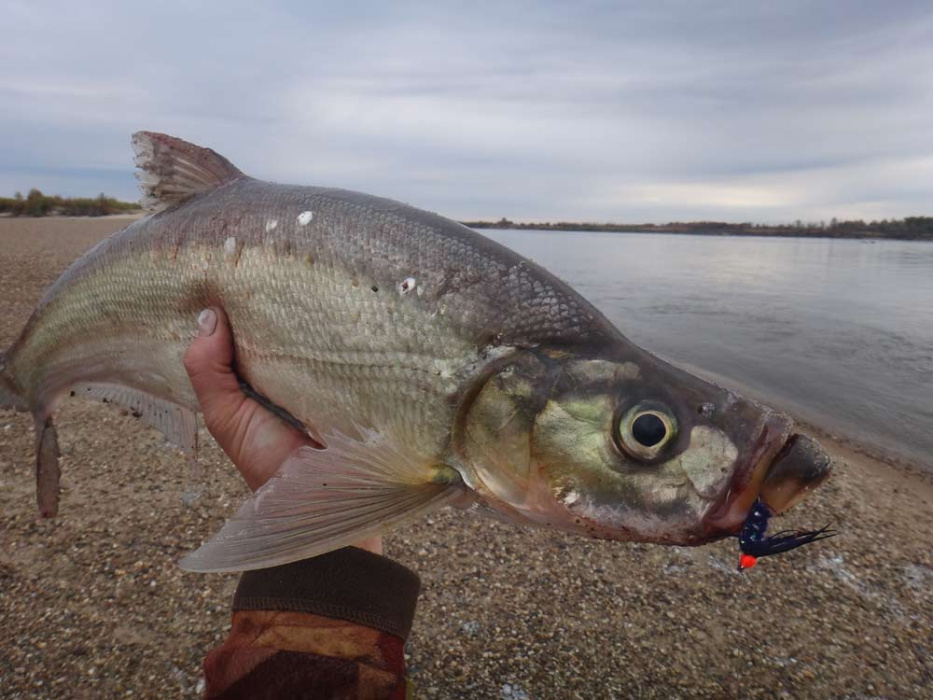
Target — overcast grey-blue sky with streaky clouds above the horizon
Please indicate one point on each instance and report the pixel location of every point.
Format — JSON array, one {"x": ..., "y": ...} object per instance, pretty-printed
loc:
[{"x": 576, "y": 111}]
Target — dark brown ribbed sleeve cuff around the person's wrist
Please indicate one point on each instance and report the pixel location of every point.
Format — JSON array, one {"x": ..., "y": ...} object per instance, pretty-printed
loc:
[{"x": 348, "y": 584}]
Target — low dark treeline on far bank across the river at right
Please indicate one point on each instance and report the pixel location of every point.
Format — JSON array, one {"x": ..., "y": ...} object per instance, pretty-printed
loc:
[{"x": 909, "y": 228}]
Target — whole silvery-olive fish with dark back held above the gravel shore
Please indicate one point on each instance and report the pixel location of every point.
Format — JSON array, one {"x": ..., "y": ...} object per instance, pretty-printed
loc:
[{"x": 431, "y": 365}]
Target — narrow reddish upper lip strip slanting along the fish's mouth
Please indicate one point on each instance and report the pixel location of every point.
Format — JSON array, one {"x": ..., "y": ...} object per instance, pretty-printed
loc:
[{"x": 728, "y": 512}]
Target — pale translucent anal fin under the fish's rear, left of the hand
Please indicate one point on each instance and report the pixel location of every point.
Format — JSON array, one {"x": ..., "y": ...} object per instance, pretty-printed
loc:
[{"x": 178, "y": 424}]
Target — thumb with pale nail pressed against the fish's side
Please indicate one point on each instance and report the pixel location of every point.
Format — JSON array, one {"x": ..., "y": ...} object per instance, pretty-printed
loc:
[{"x": 209, "y": 363}]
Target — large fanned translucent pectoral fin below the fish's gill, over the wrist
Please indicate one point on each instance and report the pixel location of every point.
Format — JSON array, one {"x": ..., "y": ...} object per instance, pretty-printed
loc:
[{"x": 321, "y": 500}]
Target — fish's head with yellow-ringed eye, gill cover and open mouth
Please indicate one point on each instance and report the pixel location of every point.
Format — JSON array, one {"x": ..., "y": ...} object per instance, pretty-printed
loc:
[{"x": 628, "y": 447}]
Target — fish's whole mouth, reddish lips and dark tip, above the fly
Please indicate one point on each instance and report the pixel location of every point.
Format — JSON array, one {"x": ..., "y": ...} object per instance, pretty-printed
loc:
[{"x": 782, "y": 468}]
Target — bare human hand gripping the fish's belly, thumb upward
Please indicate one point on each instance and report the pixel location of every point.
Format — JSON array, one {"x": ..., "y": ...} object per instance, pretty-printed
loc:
[{"x": 257, "y": 441}]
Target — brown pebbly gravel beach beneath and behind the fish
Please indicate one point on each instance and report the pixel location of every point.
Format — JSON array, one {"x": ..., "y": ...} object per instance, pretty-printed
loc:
[{"x": 92, "y": 604}]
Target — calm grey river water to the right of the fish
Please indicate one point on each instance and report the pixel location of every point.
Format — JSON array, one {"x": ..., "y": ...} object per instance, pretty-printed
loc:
[{"x": 838, "y": 332}]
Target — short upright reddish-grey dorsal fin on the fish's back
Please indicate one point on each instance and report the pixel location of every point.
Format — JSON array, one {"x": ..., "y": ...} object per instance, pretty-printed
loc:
[{"x": 171, "y": 170}]
